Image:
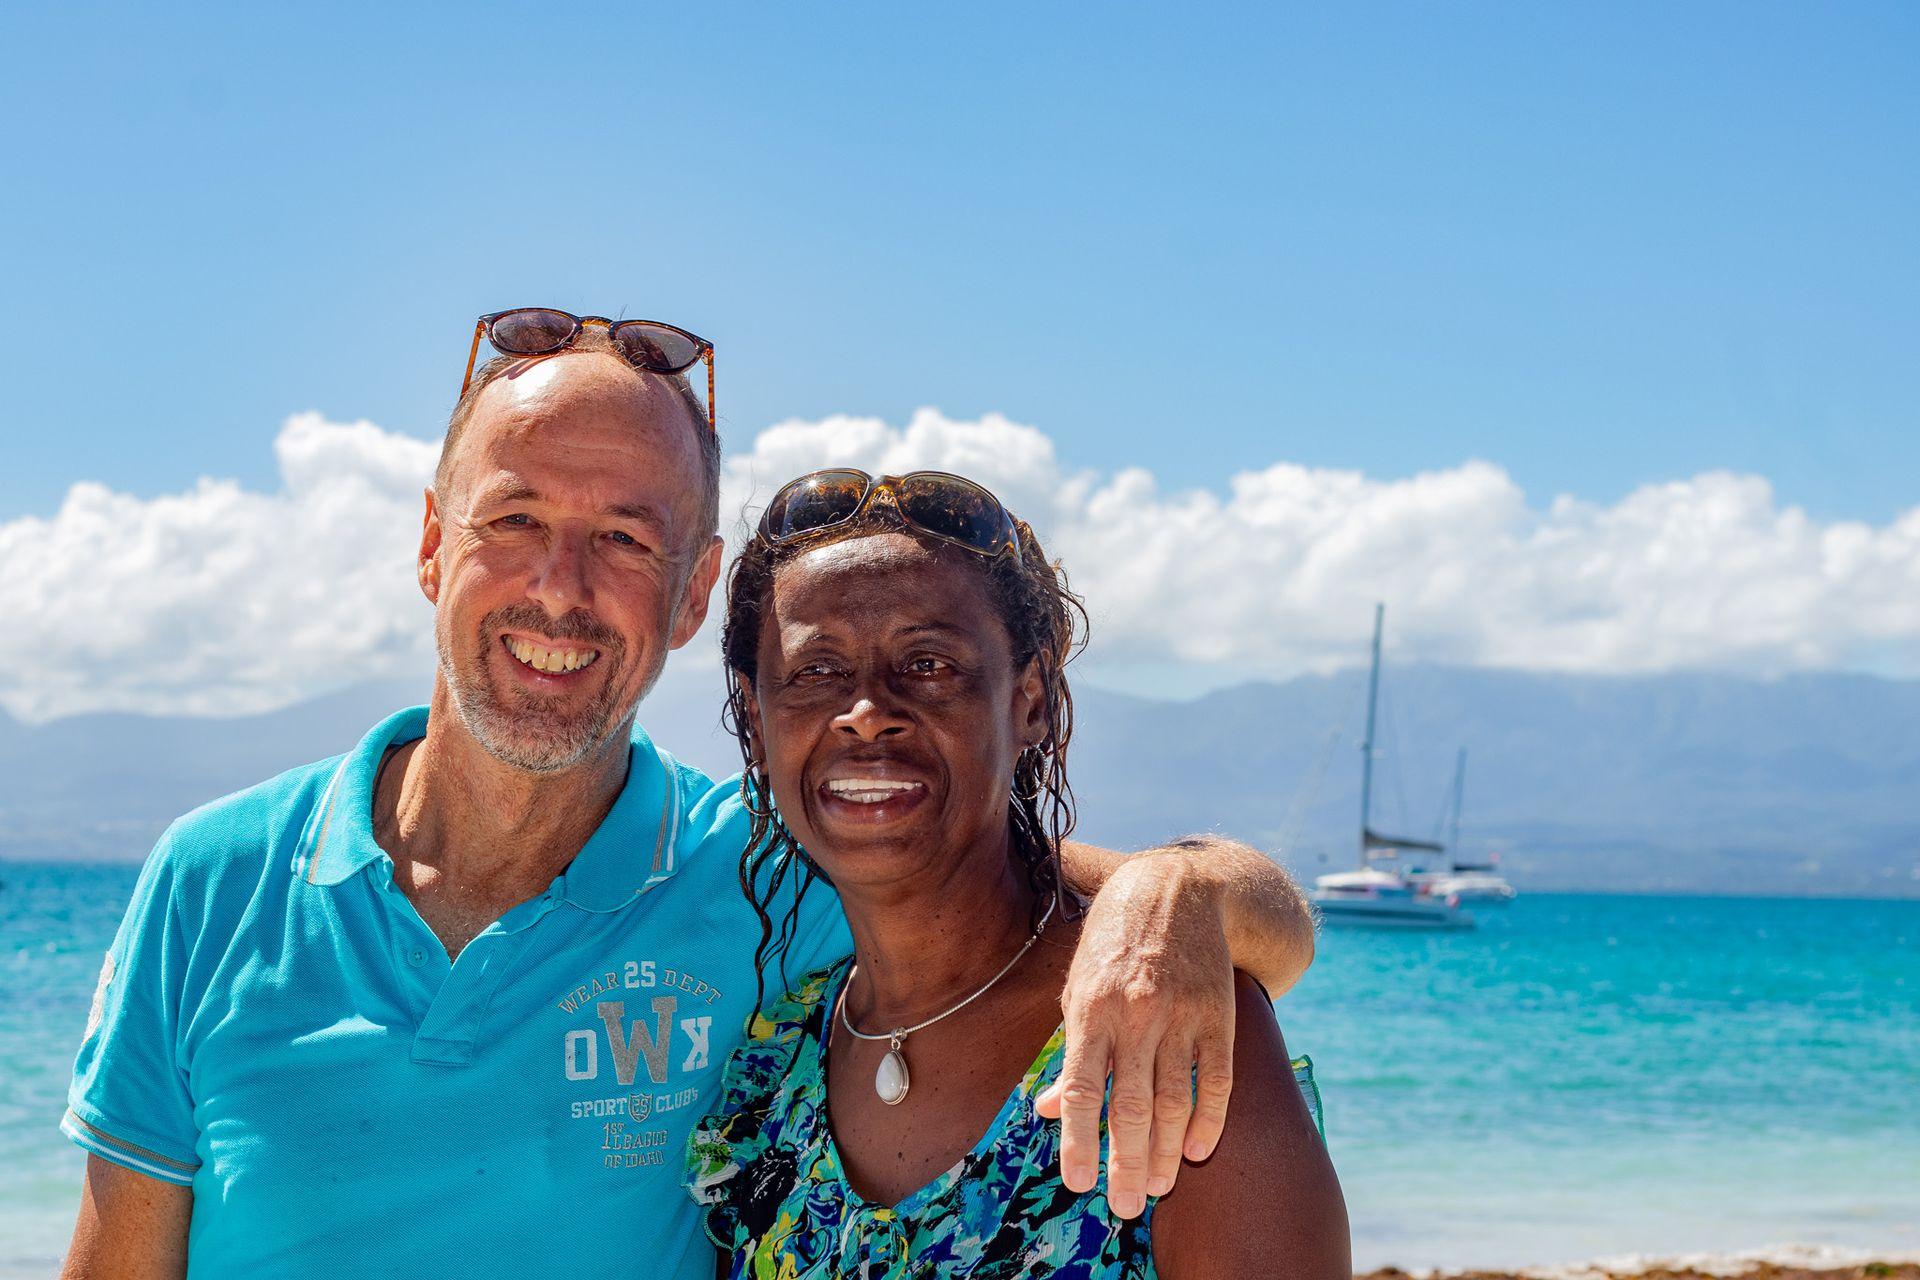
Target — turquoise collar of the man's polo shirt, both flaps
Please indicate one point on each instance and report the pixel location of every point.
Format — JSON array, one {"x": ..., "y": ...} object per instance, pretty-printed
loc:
[{"x": 633, "y": 851}]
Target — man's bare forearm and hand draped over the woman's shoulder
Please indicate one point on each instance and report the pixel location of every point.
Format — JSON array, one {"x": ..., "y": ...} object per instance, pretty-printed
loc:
[{"x": 1151, "y": 1001}]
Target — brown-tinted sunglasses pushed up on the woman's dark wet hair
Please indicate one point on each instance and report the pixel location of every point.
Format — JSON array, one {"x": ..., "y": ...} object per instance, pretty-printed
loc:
[{"x": 936, "y": 504}]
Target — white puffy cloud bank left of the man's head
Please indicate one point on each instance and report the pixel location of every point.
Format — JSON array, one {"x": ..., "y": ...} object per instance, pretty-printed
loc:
[{"x": 220, "y": 600}]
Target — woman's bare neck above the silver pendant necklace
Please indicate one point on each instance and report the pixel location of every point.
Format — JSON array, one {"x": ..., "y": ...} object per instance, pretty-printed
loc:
[{"x": 921, "y": 949}]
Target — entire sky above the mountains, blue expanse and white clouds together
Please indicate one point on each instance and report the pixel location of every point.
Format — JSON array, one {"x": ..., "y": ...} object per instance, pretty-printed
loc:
[{"x": 1287, "y": 312}]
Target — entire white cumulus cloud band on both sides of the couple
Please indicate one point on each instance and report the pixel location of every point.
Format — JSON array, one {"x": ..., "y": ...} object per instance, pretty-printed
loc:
[{"x": 222, "y": 600}]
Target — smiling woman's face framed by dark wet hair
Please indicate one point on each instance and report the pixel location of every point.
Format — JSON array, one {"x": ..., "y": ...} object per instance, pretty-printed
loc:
[{"x": 888, "y": 709}]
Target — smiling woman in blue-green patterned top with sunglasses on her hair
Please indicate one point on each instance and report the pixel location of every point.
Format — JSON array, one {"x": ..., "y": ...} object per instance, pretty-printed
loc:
[{"x": 898, "y": 657}]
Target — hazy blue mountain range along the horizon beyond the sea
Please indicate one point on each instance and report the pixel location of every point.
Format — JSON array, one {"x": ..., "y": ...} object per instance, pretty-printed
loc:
[{"x": 1662, "y": 784}]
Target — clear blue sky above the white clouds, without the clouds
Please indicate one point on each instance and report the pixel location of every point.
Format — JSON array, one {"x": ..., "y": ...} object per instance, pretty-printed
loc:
[{"x": 1595, "y": 245}]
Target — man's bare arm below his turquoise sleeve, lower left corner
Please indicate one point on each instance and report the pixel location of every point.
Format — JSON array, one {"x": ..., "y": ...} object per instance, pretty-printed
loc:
[{"x": 132, "y": 1227}]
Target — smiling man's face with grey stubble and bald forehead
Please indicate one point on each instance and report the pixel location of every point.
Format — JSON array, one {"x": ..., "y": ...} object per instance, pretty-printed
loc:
[{"x": 565, "y": 557}]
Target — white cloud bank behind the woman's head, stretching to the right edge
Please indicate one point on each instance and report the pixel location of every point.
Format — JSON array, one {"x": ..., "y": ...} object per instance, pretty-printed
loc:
[{"x": 1280, "y": 573}]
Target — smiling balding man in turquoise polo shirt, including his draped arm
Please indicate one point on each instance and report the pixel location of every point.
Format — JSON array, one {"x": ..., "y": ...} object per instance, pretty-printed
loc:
[{"x": 450, "y": 1003}]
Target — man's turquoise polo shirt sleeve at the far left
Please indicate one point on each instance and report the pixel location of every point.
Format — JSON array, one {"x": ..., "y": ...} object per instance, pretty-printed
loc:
[{"x": 130, "y": 1101}]
